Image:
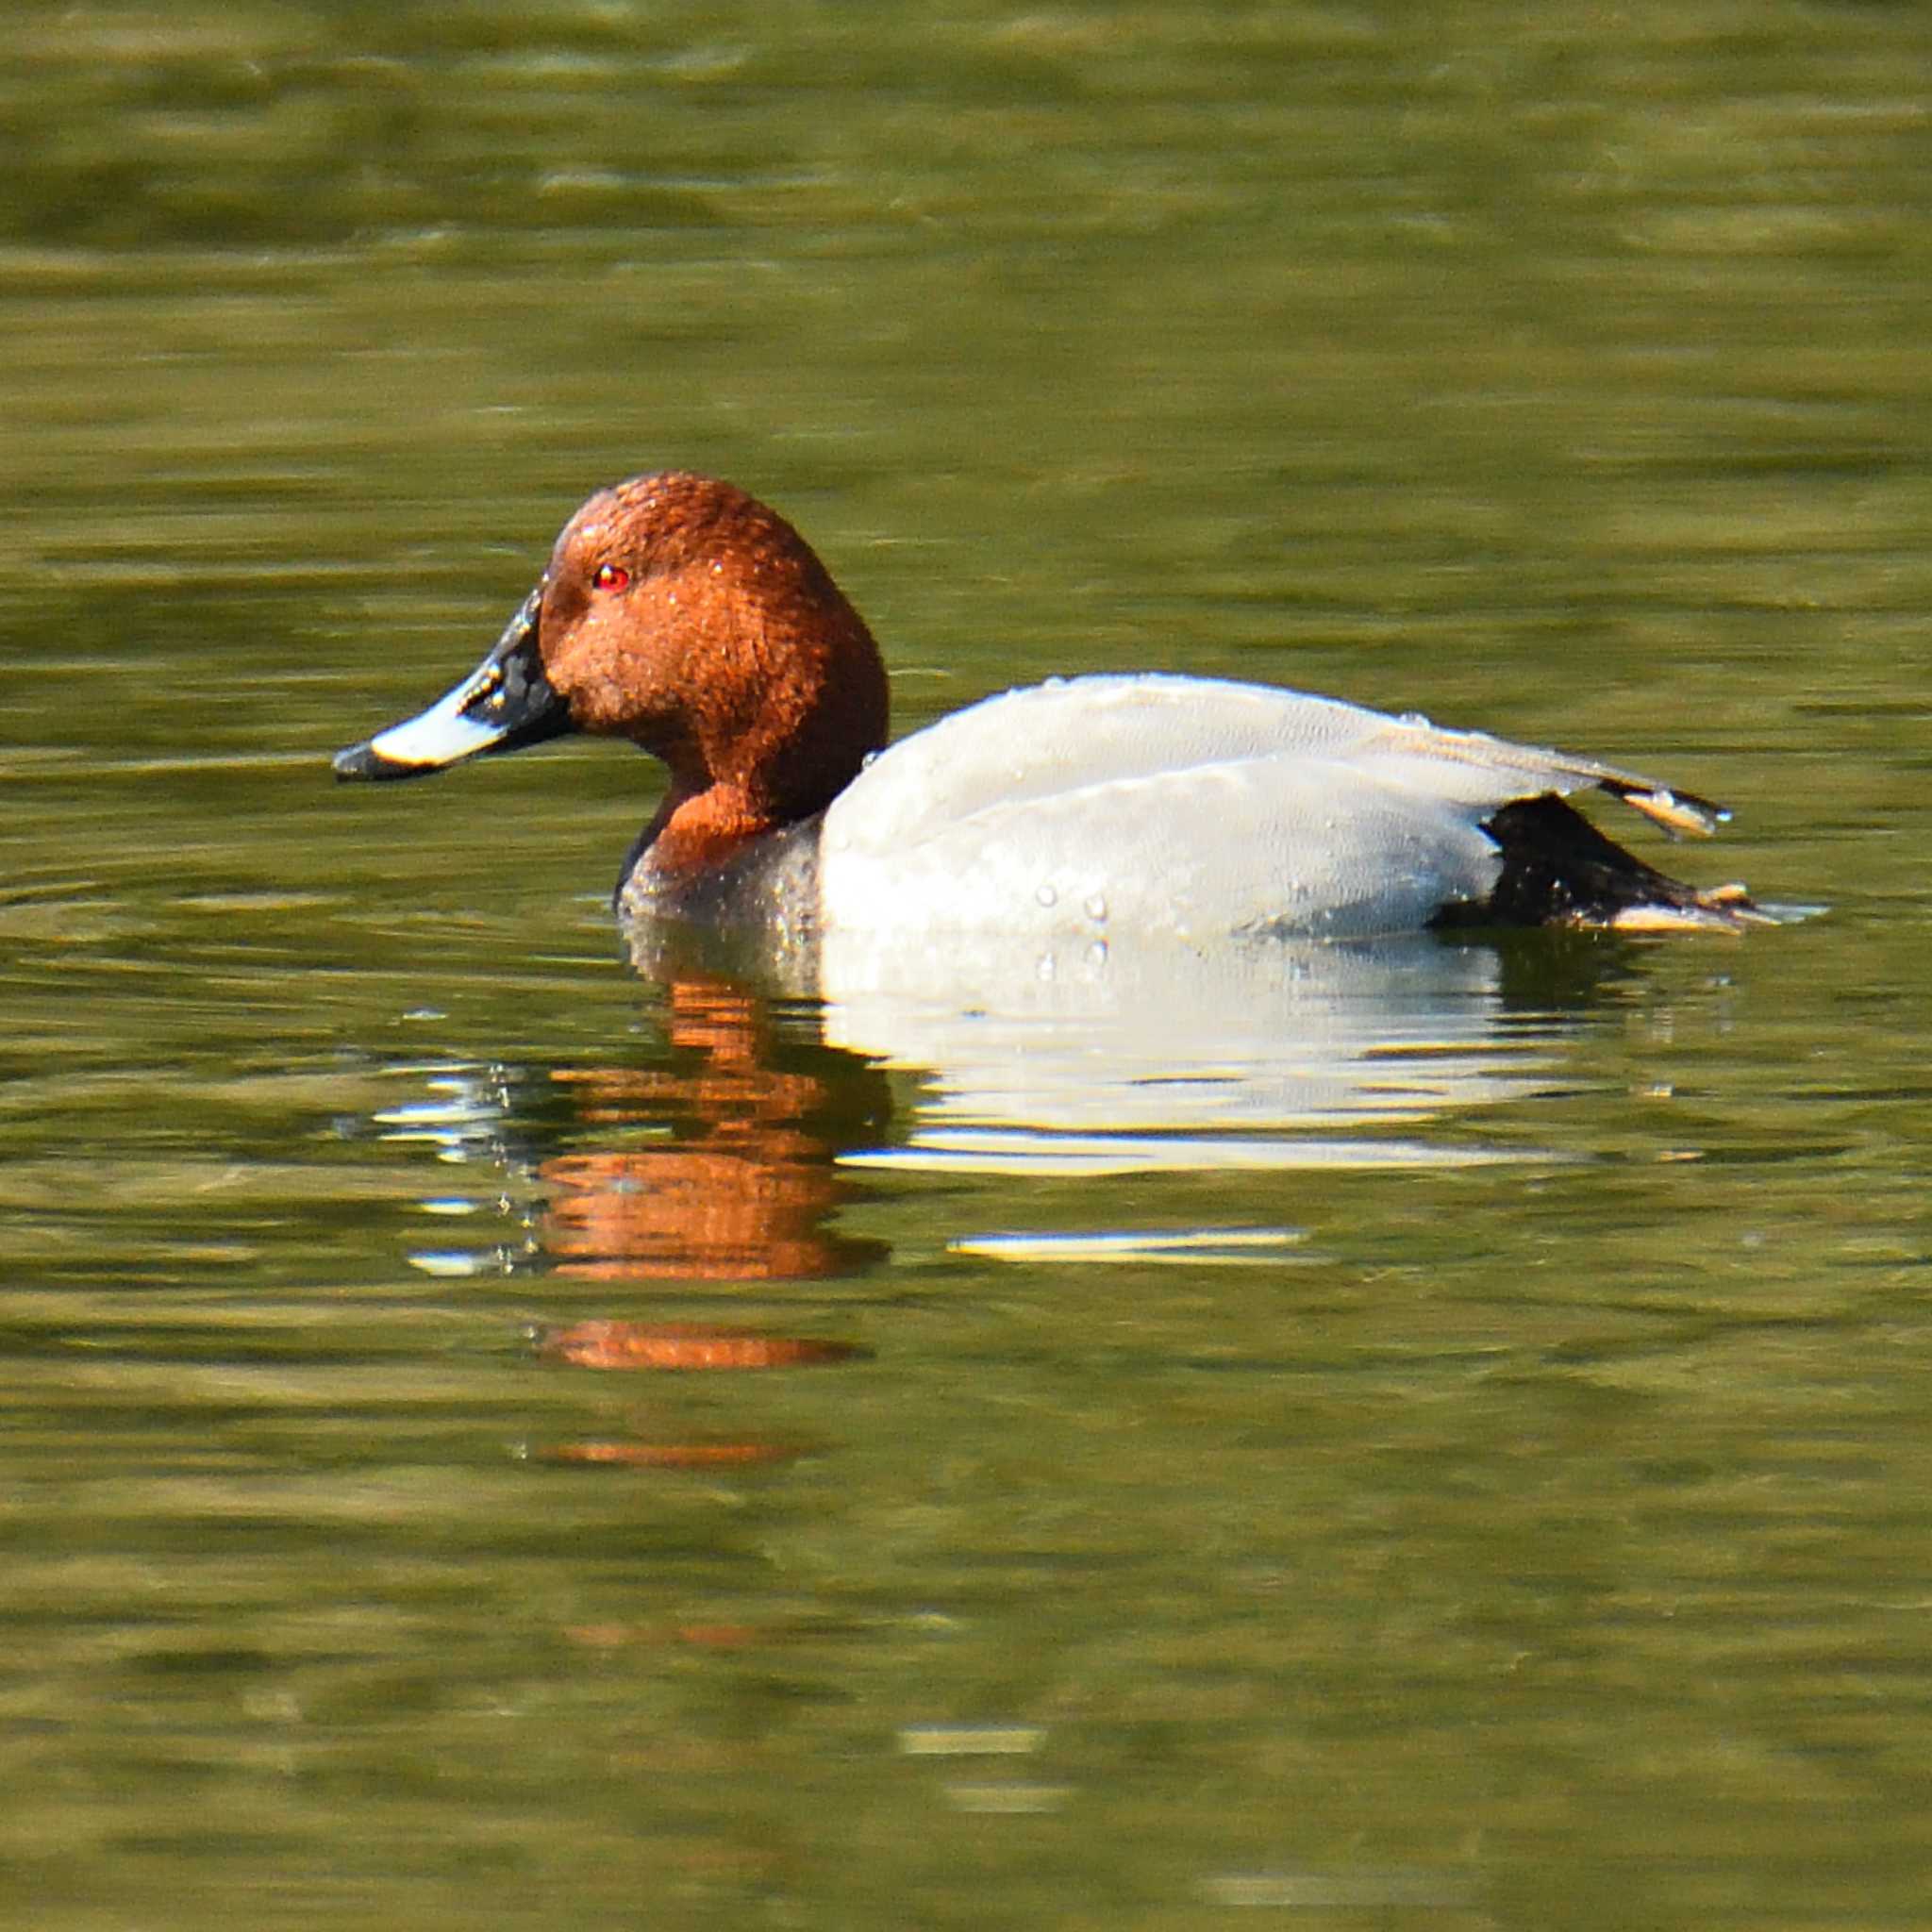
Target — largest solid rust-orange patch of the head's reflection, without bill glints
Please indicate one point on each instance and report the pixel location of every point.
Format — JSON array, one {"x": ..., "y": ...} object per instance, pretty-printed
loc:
[{"x": 743, "y": 1189}]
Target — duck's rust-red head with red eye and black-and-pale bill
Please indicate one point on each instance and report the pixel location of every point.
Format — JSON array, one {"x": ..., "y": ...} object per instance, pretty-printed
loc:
[{"x": 679, "y": 613}]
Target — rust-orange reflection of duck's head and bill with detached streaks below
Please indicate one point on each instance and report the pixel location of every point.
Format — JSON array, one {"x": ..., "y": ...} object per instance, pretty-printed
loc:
[{"x": 720, "y": 1168}]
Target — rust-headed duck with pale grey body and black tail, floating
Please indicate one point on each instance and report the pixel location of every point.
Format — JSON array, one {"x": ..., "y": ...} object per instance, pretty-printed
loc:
[{"x": 681, "y": 613}]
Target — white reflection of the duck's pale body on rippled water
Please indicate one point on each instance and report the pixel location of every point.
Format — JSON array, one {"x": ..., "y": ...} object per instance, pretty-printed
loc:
[{"x": 1164, "y": 1058}]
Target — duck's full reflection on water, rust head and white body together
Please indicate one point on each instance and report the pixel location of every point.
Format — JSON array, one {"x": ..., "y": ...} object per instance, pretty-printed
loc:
[{"x": 729, "y": 1162}]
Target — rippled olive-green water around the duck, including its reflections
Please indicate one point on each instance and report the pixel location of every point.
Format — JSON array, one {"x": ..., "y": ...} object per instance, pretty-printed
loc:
[{"x": 1421, "y": 1438}]
